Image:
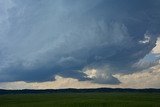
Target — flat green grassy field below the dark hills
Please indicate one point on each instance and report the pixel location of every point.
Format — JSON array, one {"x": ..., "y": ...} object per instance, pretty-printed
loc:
[{"x": 81, "y": 100}]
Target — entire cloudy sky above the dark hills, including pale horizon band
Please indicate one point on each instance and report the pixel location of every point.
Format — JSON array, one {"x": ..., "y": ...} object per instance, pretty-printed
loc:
[{"x": 79, "y": 44}]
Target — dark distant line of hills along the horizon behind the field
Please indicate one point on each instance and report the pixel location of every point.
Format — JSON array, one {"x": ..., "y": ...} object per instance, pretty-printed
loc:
[{"x": 70, "y": 90}]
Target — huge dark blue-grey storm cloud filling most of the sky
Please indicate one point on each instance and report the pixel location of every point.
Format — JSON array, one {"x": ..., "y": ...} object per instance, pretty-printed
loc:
[{"x": 61, "y": 37}]
